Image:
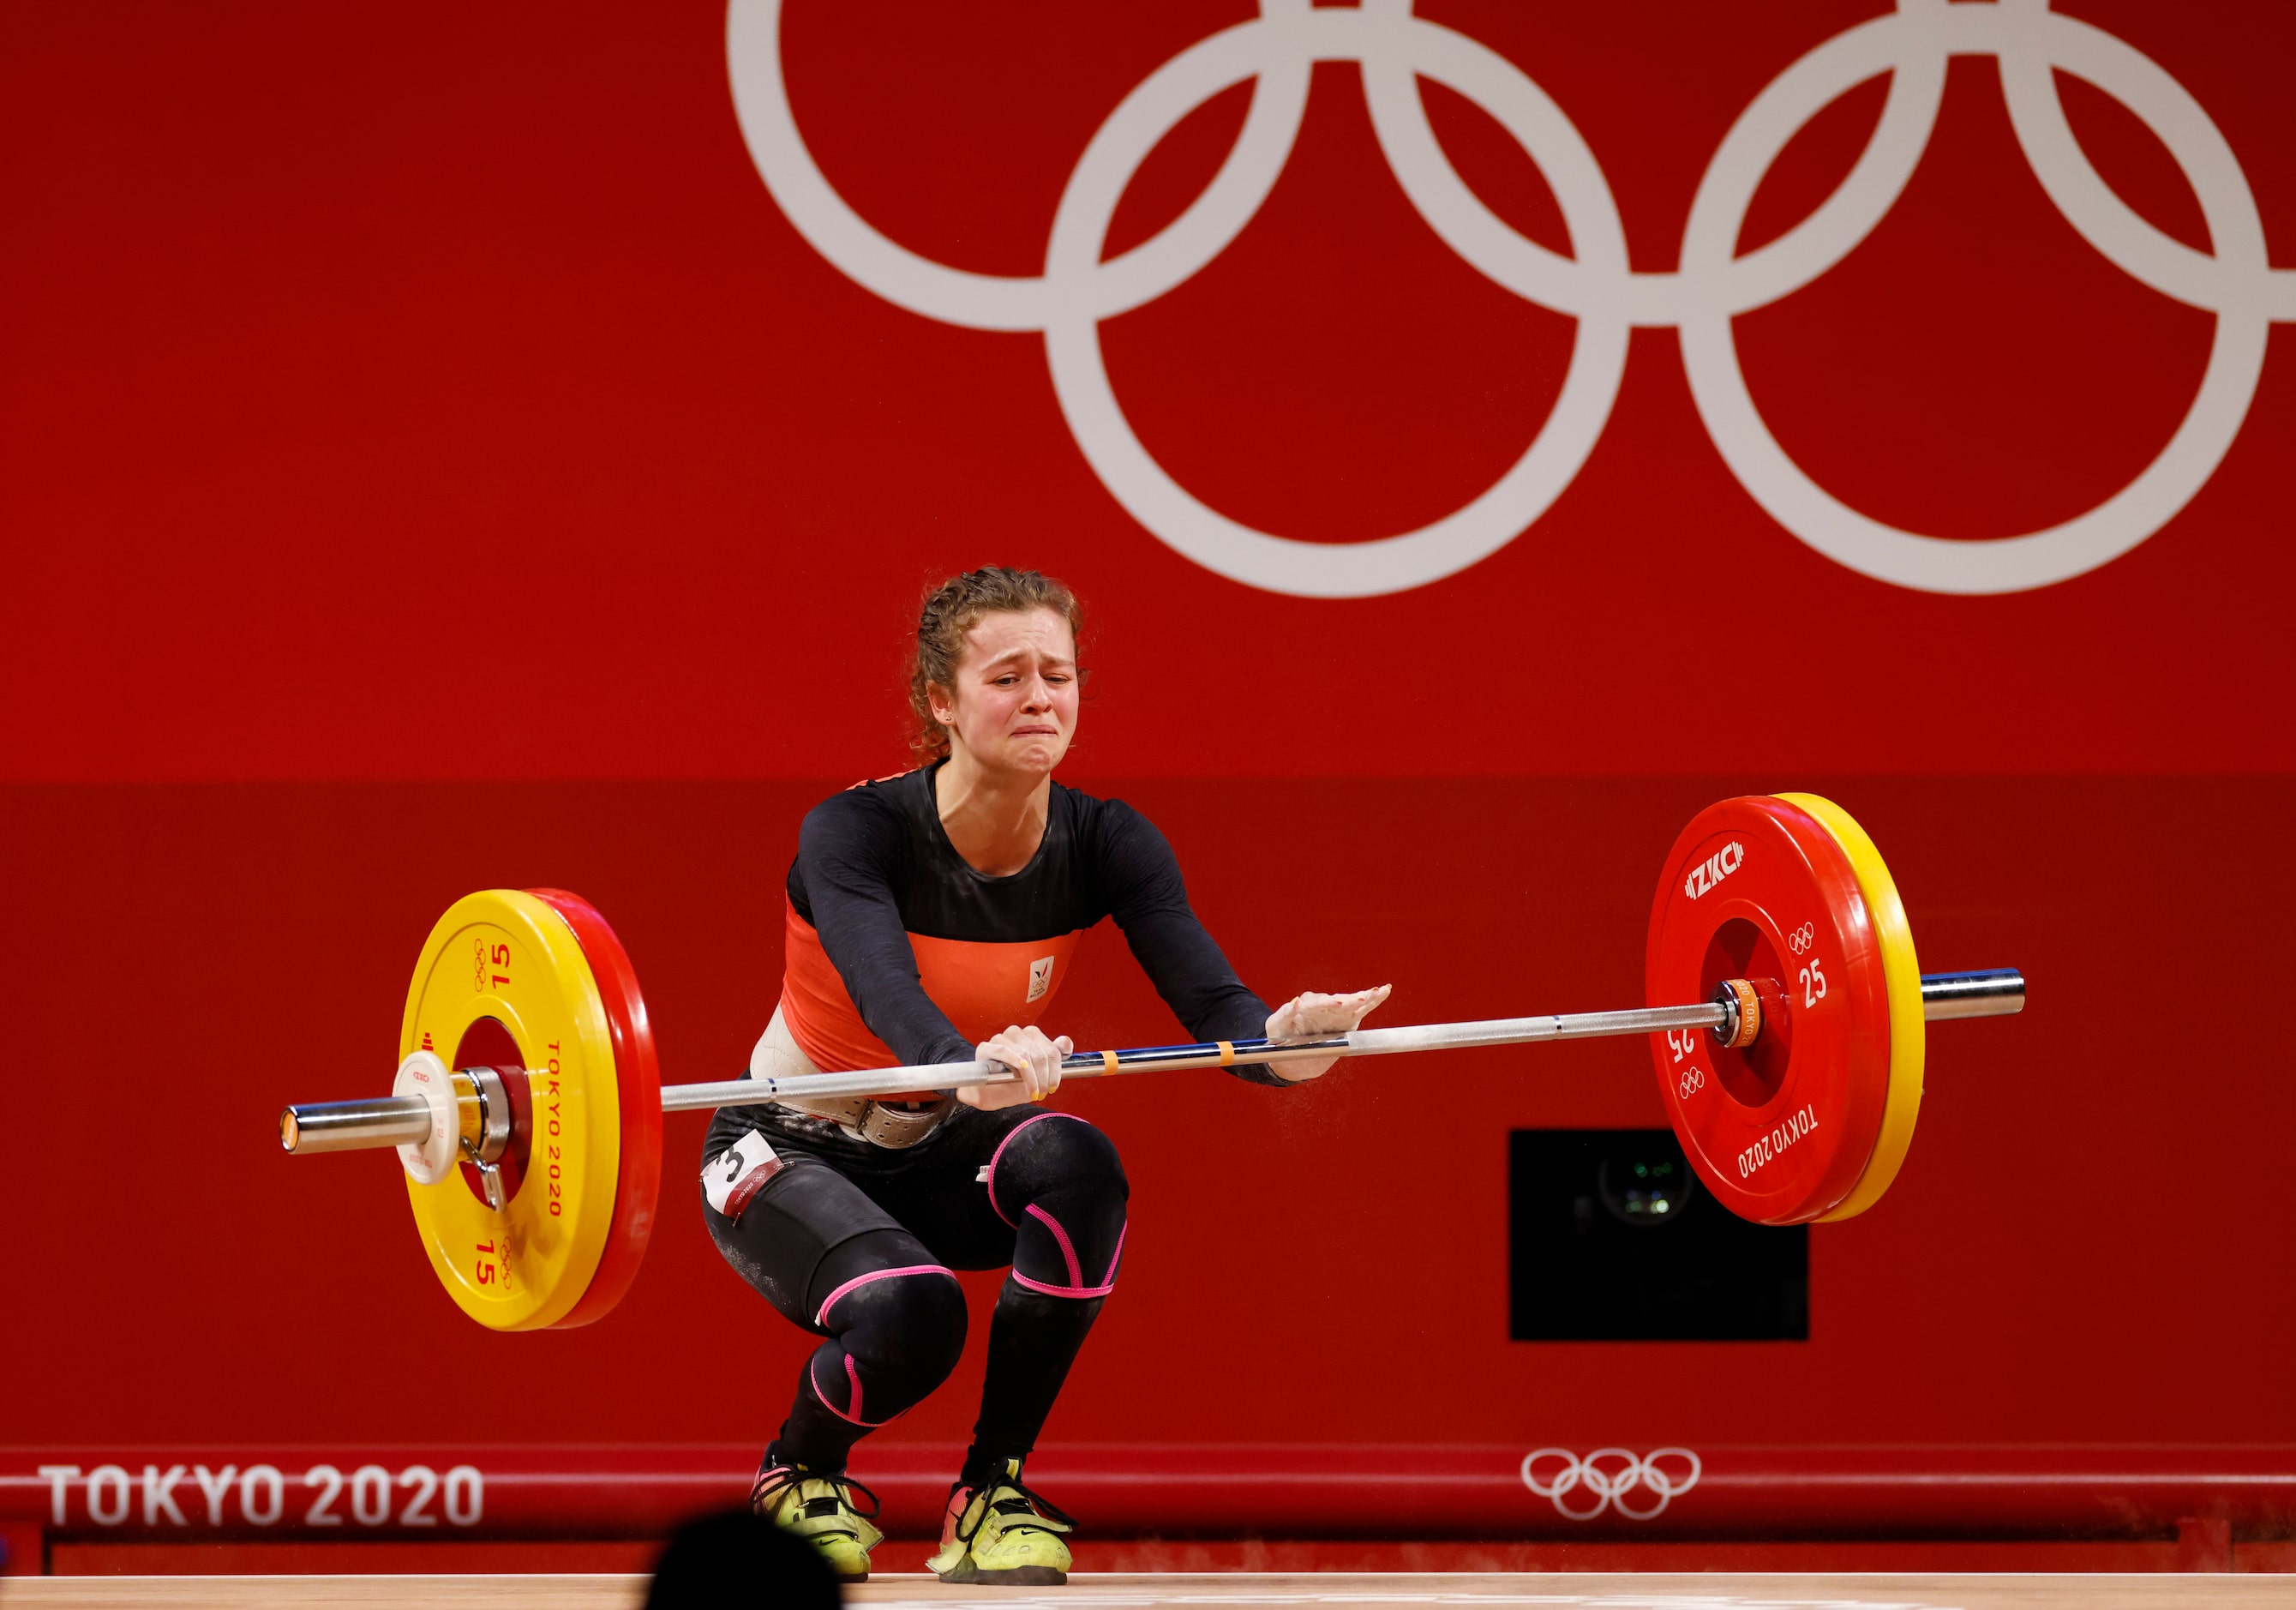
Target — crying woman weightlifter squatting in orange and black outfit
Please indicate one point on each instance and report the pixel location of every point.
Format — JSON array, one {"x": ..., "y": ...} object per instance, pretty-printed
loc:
[{"x": 931, "y": 918}]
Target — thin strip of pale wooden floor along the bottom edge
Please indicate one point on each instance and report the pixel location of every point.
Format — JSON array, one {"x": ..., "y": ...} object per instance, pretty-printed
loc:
[{"x": 1211, "y": 1593}]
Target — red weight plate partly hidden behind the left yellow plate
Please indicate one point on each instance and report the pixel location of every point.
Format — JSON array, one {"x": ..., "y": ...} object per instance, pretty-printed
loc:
[{"x": 637, "y": 1078}]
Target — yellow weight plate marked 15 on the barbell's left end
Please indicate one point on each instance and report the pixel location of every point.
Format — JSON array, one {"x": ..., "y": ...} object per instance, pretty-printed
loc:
[{"x": 509, "y": 957}]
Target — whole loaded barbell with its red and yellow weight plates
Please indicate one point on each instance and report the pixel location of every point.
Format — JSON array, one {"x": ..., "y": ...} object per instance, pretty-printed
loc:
[{"x": 1787, "y": 1028}]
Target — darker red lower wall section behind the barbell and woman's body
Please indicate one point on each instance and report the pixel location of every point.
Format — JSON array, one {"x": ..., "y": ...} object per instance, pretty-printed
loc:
[{"x": 2088, "y": 1241}]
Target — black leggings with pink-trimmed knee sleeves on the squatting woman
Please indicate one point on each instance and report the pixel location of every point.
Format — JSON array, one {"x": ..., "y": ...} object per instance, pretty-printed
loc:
[{"x": 858, "y": 1246}]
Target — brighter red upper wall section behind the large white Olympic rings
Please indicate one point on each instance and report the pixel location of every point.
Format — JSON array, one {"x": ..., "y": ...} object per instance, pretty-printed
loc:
[{"x": 442, "y": 394}]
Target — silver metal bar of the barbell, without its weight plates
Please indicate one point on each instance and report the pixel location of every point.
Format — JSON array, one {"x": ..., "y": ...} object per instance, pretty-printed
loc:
[{"x": 389, "y": 1122}]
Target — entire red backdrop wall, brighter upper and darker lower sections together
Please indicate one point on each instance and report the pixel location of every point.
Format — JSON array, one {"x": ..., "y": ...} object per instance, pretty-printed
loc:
[{"x": 433, "y": 460}]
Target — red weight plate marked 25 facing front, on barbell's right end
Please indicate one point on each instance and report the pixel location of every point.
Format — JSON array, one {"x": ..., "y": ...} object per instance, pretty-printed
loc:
[{"x": 1758, "y": 890}]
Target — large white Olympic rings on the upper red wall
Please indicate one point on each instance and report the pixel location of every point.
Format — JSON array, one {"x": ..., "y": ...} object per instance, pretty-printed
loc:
[{"x": 1595, "y": 286}]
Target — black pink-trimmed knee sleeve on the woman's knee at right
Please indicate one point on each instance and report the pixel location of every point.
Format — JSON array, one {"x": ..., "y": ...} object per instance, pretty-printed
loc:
[{"x": 1062, "y": 1189}]
